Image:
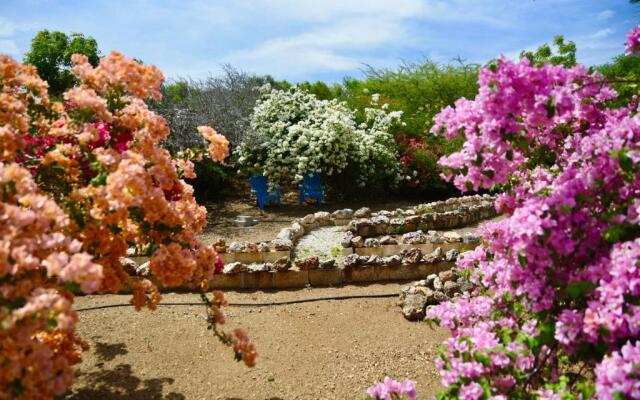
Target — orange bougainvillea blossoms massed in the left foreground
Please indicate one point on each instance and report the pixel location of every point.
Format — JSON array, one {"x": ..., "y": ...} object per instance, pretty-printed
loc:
[{"x": 80, "y": 183}]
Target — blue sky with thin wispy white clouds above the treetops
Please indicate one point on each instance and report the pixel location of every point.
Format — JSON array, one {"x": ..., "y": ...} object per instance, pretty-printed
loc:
[{"x": 319, "y": 39}]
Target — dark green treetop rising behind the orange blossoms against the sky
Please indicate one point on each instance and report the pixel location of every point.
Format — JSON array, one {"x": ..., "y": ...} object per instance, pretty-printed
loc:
[{"x": 51, "y": 54}]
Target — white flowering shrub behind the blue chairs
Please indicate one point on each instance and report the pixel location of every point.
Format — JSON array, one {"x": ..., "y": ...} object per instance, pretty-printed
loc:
[{"x": 295, "y": 133}]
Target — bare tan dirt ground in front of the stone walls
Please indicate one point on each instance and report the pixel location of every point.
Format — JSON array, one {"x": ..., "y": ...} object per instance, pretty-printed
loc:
[{"x": 322, "y": 350}]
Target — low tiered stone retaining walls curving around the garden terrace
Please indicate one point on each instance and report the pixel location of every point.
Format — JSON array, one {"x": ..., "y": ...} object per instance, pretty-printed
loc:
[{"x": 404, "y": 253}]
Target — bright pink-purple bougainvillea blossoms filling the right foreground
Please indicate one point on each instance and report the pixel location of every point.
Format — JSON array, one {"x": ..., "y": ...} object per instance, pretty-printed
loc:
[{"x": 556, "y": 311}]
